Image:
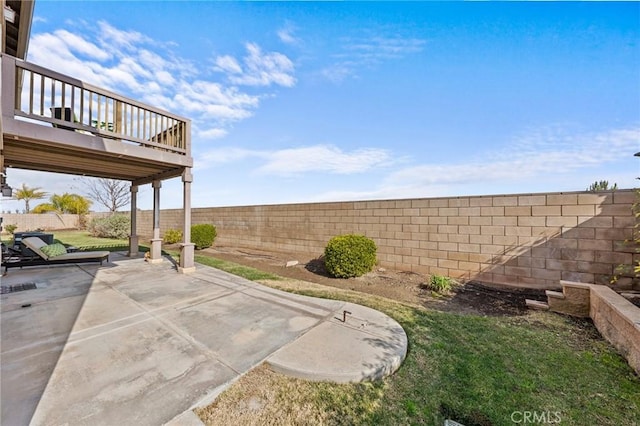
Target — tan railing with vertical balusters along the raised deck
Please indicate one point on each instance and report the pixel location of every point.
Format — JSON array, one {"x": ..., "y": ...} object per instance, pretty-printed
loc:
[{"x": 52, "y": 98}]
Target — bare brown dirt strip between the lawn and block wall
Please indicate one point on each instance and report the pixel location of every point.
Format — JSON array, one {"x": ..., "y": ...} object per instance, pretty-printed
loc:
[{"x": 408, "y": 287}]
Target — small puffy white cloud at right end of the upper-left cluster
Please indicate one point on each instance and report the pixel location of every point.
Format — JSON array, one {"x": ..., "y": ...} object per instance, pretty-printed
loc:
[{"x": 258, "y": 68}]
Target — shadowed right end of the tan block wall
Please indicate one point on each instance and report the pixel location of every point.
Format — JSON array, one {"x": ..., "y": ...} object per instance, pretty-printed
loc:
[{"x": 595, "y": 250}]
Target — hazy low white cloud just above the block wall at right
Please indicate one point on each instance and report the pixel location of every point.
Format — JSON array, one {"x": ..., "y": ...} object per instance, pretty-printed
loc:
[{"x": 549, "y": 159}]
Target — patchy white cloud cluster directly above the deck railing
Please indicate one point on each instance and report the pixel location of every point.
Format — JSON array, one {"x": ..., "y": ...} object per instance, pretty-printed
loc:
[{"x": 129, "y": 62}]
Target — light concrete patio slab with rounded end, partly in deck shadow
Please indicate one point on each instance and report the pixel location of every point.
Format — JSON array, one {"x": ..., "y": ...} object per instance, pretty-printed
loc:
[{"x": 135, "y": 343}]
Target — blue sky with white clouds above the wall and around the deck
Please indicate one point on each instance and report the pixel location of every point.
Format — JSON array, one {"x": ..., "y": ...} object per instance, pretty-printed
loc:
[{"x": 304, "y": 101}]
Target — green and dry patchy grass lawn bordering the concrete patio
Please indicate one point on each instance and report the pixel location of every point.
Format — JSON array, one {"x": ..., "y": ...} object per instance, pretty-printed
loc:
[{"x": 472, "y": 369}]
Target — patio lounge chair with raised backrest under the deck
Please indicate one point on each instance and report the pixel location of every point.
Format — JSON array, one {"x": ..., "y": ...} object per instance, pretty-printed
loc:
[{"x": 37, "y": 246}]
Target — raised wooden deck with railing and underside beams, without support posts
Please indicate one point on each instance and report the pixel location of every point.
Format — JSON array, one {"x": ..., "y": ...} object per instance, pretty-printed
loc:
[{"x": 52, "y": 122}]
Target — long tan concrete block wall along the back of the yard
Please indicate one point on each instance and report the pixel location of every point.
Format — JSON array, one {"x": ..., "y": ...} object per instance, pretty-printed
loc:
[{"x": 526, "y": 240}]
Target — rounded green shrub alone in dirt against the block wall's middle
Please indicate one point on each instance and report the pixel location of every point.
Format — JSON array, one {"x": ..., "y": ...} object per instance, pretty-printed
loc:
[{"x": 350, "y": 255}]
